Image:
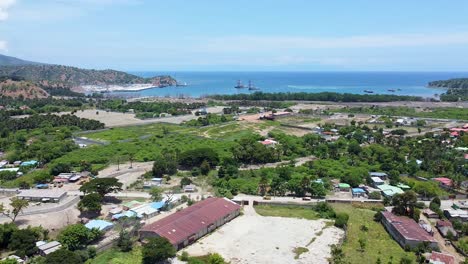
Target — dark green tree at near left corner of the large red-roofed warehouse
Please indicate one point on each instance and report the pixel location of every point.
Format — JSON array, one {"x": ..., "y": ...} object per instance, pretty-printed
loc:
[{"x": 157, "y": 250}]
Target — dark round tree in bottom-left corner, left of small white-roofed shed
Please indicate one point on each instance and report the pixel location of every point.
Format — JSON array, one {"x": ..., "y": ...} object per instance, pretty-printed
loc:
[{"x": 23, "y": 241}]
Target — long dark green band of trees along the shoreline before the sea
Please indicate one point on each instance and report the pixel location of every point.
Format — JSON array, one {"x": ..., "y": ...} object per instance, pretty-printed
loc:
[{"x": 324, "y": 96}]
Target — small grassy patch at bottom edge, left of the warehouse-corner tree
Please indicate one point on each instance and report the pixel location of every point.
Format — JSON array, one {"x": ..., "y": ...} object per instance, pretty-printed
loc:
[{"x": 114, "y": 256}]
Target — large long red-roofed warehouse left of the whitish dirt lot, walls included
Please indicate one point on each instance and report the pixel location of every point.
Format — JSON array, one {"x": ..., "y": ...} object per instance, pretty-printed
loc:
[{"x": 186, "y": 226}]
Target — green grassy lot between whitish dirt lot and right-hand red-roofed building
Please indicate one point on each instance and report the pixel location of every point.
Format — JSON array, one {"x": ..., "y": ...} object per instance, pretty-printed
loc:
[{"x": 379, "y": 244}]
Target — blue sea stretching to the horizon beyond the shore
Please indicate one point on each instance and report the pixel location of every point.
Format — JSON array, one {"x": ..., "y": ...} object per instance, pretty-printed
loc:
[{"x": 209, "y": 83}]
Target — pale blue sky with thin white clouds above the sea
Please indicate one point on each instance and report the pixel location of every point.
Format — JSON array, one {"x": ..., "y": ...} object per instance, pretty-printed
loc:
[{"x": 303, "y": 35}]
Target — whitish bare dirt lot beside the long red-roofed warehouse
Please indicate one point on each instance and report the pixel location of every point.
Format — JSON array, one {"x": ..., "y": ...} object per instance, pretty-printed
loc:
[{"x": 256, "y": 239}]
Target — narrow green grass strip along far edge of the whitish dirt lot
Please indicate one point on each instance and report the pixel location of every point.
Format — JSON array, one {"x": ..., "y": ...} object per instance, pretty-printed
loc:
[{"x": 286, "y": 211}]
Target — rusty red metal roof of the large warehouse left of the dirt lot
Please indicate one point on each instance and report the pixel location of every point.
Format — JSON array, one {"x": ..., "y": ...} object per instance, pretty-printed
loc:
[{"x": 191, "y": 220}]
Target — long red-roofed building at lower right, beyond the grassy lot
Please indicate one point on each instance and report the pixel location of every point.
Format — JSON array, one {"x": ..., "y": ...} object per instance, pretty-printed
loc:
[{"x": 406, "y": 231}]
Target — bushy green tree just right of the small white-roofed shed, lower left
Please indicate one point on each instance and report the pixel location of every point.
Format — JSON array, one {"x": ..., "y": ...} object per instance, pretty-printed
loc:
[{"x": 77, "y": 236}]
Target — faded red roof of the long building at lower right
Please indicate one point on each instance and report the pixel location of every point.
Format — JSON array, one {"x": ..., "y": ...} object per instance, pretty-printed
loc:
[{"x": 407, "y": 227}]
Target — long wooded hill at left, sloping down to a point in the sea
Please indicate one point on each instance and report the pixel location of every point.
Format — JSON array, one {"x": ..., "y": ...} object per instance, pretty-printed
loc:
[{"x": 58, "y": 76}]
